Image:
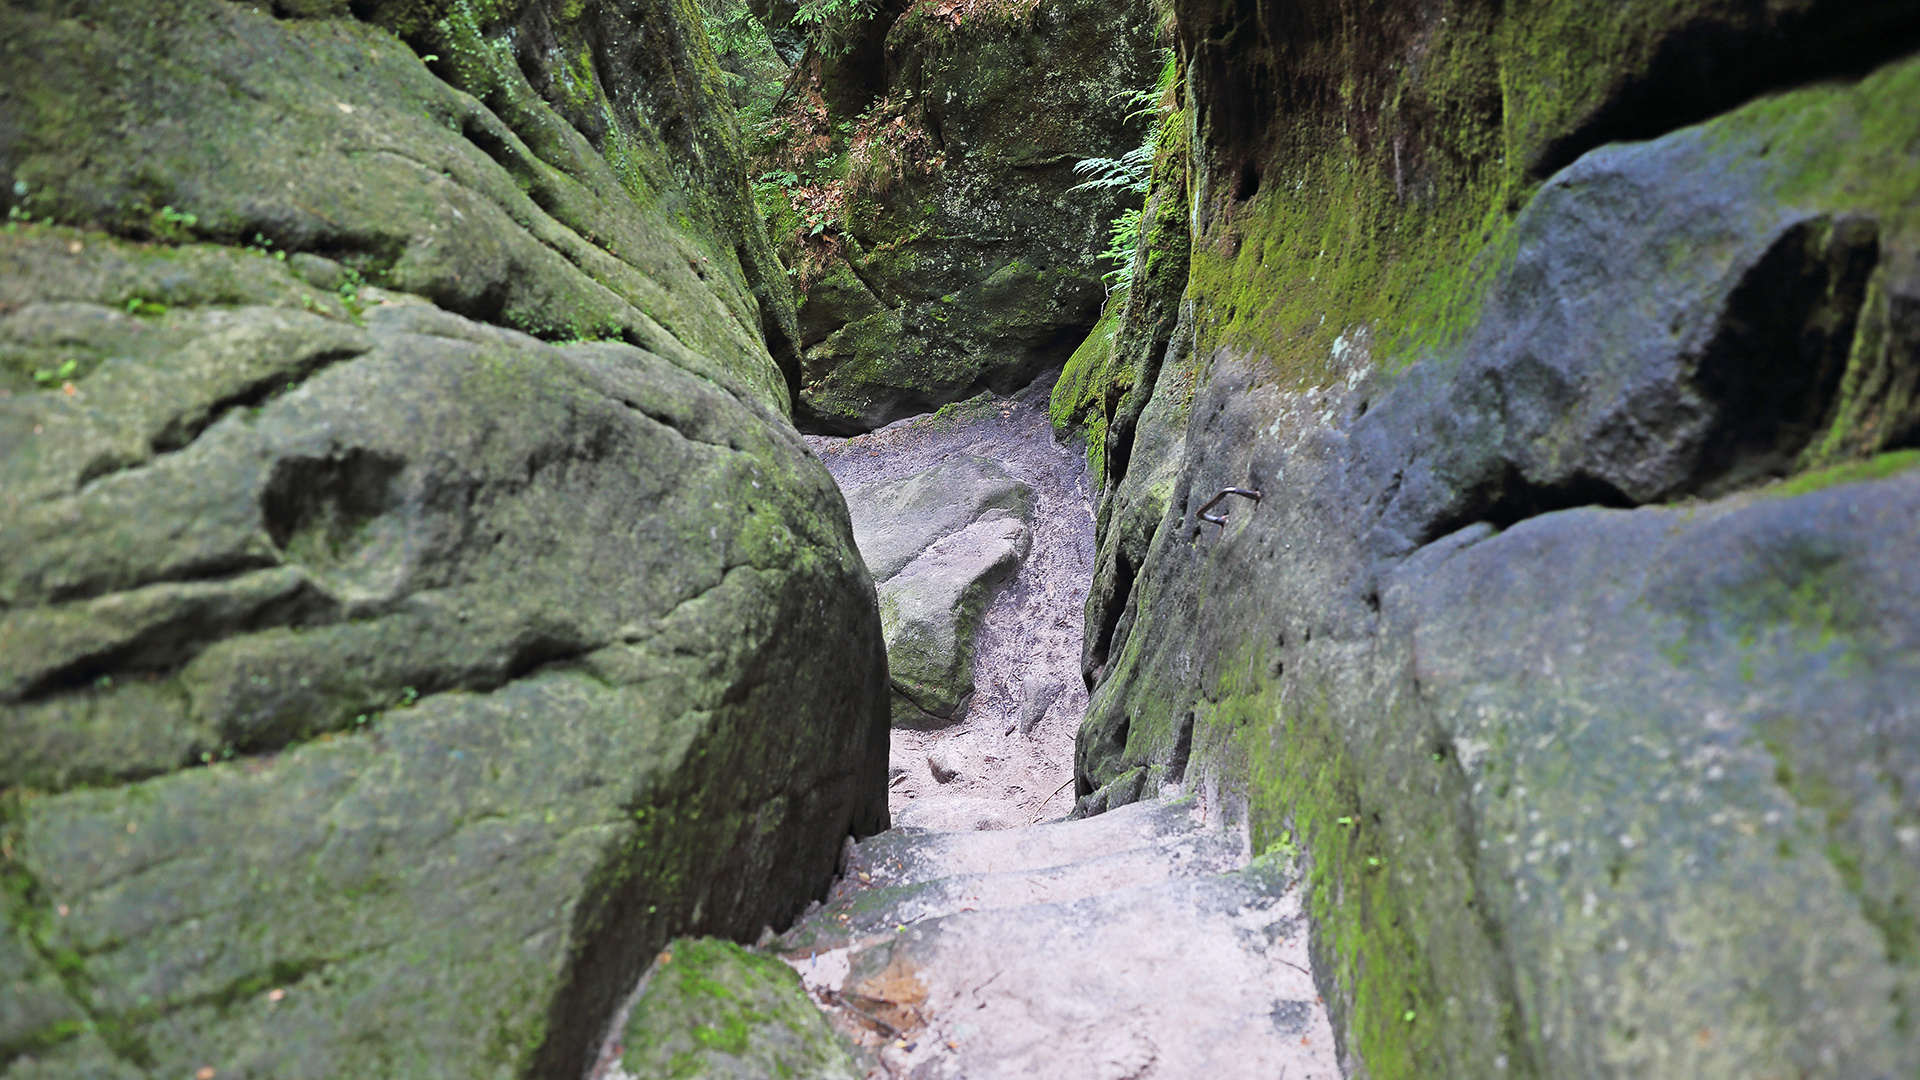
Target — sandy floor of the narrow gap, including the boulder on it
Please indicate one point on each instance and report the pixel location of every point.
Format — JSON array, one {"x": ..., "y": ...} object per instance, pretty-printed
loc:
[{"x": 938, "y": 501}]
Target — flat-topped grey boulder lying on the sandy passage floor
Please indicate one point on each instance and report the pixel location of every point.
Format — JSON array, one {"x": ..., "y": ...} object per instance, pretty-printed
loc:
[{"x": 938, "y": 545}]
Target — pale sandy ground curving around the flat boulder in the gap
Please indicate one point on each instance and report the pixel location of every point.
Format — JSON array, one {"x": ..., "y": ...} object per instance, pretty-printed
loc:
[{"x": 1030, "y": 645}]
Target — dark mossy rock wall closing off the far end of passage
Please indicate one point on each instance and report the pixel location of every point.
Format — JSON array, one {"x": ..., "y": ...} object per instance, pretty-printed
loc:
[{"x": 972, "y": 266}]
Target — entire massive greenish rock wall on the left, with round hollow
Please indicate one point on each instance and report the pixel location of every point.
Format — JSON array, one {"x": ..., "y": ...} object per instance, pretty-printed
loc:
[{"x": 383, "y": 687}]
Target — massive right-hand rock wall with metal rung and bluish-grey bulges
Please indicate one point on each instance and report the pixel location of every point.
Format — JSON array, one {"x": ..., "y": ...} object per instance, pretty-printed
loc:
[{"x": 1573, "y": 629}]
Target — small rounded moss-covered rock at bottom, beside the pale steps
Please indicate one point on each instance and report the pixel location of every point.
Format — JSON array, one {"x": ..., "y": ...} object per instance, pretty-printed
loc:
[{"x": 711, "y": 1010}]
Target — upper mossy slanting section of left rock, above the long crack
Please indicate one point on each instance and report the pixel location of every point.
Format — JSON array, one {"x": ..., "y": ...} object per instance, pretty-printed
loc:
[{"x": 569, "y": 170}]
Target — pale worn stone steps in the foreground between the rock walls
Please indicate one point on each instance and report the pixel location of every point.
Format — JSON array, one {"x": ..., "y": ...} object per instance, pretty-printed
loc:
[{"x": 1136, "y": 945}]
